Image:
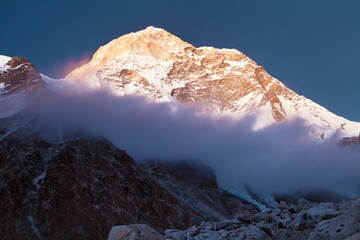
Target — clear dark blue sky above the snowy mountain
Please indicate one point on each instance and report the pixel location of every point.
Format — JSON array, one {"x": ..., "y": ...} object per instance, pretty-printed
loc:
[{"x": 311, "y": 46}]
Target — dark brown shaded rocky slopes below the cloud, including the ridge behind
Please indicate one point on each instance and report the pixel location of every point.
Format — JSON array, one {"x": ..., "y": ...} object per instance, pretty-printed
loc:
[{"x": 78, "y": 188}]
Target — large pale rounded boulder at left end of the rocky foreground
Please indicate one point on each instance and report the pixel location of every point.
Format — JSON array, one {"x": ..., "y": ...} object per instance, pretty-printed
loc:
[{"x": 134, "y": 232}]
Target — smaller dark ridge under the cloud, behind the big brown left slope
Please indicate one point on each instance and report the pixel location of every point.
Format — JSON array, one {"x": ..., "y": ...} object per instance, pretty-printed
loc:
[{"x": 193, "y": 184}]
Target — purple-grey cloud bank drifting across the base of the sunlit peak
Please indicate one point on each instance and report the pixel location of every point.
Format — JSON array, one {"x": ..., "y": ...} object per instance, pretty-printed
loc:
[{"x": 280, "y": 158}]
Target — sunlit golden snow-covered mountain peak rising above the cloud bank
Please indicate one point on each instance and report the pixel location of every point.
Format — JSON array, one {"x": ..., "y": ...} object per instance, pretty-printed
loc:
[{"x": 162, "y": 67}]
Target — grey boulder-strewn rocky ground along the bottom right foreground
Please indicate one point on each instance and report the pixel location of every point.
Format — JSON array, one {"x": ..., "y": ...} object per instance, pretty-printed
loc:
[{"x": 304, "y": 220}]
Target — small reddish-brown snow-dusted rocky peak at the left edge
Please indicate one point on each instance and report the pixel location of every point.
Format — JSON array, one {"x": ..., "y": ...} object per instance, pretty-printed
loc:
[{"x": 18, "y": 75}]
